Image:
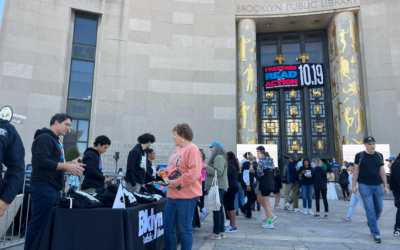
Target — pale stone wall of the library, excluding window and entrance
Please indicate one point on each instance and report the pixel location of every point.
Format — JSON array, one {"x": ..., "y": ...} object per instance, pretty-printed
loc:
[{"x": 163, "y": 62}]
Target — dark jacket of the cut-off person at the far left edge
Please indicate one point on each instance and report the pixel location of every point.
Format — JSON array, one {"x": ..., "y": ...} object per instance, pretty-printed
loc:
[{"x": 12, "y": 154}]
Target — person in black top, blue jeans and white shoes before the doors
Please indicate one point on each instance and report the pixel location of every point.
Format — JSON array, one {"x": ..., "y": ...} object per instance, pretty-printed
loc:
[{"x": 305, "y": 175}]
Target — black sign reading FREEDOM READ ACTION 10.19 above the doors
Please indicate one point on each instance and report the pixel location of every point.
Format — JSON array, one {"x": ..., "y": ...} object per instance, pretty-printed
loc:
[{"x": 292, "y": 76}]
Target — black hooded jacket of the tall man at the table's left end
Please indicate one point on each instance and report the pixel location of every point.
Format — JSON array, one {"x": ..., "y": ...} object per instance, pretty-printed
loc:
[{"x": 47, "y": 152}]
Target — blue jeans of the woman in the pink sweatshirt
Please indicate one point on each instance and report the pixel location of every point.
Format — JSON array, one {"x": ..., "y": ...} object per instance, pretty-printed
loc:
[{"x": 179, "y": 211}]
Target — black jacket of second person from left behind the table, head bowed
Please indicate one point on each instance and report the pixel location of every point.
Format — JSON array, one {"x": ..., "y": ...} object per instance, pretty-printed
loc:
[{"x": 94, "y": 177}]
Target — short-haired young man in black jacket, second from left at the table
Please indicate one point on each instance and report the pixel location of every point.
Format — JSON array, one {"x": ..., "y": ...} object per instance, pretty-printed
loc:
[{"x": 94, "y": 177}]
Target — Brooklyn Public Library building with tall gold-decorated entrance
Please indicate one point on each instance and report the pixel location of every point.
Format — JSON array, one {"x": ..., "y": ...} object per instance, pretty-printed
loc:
[{"x": 308, "y": 76}]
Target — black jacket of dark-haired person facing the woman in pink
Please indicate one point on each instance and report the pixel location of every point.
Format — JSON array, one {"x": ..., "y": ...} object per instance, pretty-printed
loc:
[{"x": 134, "y": 173}]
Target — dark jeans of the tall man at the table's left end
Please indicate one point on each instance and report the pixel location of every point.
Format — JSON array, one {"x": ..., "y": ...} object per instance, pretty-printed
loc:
[{"x": 44, "y": 198}]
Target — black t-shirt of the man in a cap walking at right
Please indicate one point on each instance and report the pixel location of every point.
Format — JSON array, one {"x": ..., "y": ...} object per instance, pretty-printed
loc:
[{"x": 370, "y": 166}]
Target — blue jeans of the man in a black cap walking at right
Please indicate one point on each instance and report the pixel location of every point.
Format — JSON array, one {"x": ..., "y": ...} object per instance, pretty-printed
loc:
[{"x": 373, "y": 204}]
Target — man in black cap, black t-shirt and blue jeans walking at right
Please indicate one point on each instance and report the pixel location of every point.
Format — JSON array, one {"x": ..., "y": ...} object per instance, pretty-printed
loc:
[{"x": 369, "y": 170}]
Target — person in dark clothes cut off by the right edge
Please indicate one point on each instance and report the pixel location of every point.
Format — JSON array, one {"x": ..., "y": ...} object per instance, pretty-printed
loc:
[{"x": 395, "y": 187}]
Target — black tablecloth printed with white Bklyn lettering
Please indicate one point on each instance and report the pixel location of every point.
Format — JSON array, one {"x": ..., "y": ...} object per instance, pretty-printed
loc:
[{"x": 138, "y": 227}]
